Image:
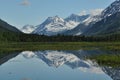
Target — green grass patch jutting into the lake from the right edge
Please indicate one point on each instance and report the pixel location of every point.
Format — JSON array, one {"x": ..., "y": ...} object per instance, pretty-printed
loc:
[{"x": 112, "y": 60}]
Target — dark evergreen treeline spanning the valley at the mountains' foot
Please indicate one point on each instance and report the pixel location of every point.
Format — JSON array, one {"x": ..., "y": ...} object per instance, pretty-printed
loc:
[{"x": 10, "y": 36}]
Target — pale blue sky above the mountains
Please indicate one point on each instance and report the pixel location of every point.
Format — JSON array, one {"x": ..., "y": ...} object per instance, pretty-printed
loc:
[{"x": 21, "y": 12}]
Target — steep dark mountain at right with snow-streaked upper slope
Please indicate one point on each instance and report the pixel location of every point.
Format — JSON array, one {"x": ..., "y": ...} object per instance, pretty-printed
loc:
[{"x": 107, "y": 22}]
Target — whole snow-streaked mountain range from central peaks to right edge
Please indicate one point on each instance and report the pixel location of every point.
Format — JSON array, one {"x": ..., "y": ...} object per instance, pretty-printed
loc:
[{"x": 104, "y": 22}]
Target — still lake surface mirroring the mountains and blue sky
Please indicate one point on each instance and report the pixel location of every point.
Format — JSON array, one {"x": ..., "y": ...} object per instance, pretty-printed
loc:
[{"x": 55, "y": 65}]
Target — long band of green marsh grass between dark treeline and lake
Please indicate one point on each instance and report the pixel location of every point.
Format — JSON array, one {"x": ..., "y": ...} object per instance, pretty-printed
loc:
[{"x": 21, "y": 46}]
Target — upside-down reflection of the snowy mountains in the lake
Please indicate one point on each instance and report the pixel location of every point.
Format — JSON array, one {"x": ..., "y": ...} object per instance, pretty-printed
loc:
[{"x": 75, "y": 60}]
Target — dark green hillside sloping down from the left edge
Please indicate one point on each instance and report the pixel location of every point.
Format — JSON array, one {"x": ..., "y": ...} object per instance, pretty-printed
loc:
[{"x": 8, "y": 32}]
